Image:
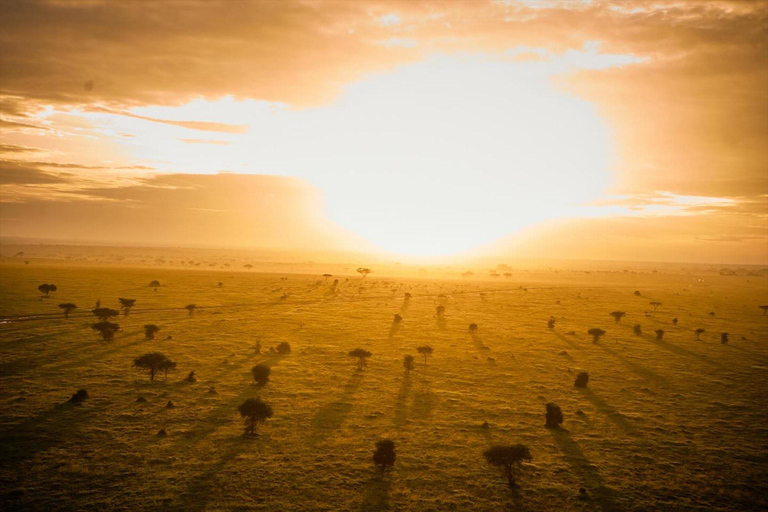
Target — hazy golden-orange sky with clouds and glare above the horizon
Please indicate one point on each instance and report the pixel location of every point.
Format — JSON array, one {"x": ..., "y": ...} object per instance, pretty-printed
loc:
[{"x": 618, "y": 130}]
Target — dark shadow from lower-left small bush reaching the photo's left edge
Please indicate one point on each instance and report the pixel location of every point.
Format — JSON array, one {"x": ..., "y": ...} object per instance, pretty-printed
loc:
[{"x": 45, "y": 430}]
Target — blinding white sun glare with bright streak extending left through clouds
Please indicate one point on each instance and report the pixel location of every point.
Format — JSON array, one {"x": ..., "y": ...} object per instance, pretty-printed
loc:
[{"x": 433, "y": 158}]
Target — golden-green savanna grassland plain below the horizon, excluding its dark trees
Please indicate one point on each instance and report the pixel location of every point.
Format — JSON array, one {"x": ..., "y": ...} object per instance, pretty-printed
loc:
[{"x": 671, "y": 424}]
